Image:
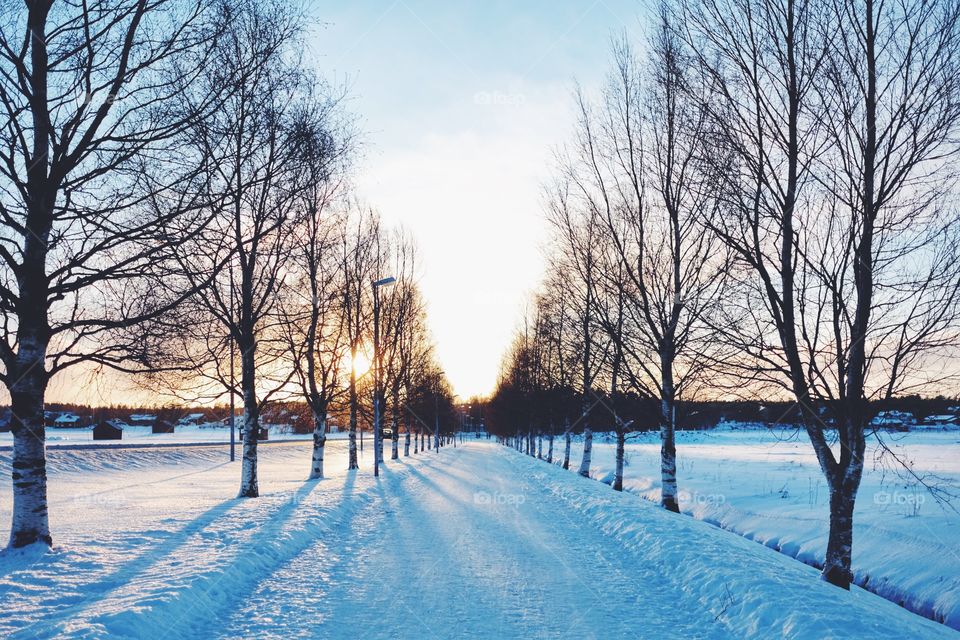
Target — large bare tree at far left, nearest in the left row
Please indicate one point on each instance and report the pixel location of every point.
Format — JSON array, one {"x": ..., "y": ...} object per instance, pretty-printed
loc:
[{"x": 92, "y": 105}]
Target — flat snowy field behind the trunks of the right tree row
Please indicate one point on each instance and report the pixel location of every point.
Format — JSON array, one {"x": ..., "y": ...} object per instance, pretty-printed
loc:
[{"x": 766, "y": 485}]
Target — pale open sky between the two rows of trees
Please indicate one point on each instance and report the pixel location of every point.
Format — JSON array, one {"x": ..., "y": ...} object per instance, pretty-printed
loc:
[{"x": 461, "y": 106}]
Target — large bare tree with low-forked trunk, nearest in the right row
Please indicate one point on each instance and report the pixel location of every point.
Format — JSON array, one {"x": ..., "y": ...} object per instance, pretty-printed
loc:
[{"x": 835, "y": 121}]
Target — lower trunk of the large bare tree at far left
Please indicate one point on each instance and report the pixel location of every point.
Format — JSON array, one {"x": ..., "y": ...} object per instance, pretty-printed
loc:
[{"x": 30, "y": 522}]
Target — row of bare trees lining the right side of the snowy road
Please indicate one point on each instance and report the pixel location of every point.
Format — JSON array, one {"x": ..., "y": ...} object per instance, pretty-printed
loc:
[{"x": 762, "y": 204}]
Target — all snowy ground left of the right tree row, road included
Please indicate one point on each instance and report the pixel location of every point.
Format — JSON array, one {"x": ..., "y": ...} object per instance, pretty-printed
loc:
[{"x": 477, "y": 541}]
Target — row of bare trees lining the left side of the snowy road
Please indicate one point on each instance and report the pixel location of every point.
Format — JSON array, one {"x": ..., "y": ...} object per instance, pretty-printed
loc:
[{"x": 176, "y": 204}]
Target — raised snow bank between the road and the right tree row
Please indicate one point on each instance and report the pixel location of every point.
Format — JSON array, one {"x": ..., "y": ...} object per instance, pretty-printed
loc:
[{"x": 755, "y": 592}]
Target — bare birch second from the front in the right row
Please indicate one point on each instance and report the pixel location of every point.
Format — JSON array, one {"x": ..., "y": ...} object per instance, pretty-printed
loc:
[{"x": 638, "y": 165}]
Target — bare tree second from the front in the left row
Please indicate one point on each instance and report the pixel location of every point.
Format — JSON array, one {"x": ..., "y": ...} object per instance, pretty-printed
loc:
[{"x": 254, "y": 174}]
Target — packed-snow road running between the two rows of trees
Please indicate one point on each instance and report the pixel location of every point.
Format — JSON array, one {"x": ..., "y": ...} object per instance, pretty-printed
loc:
[{"x": 465, "y": 547}]
